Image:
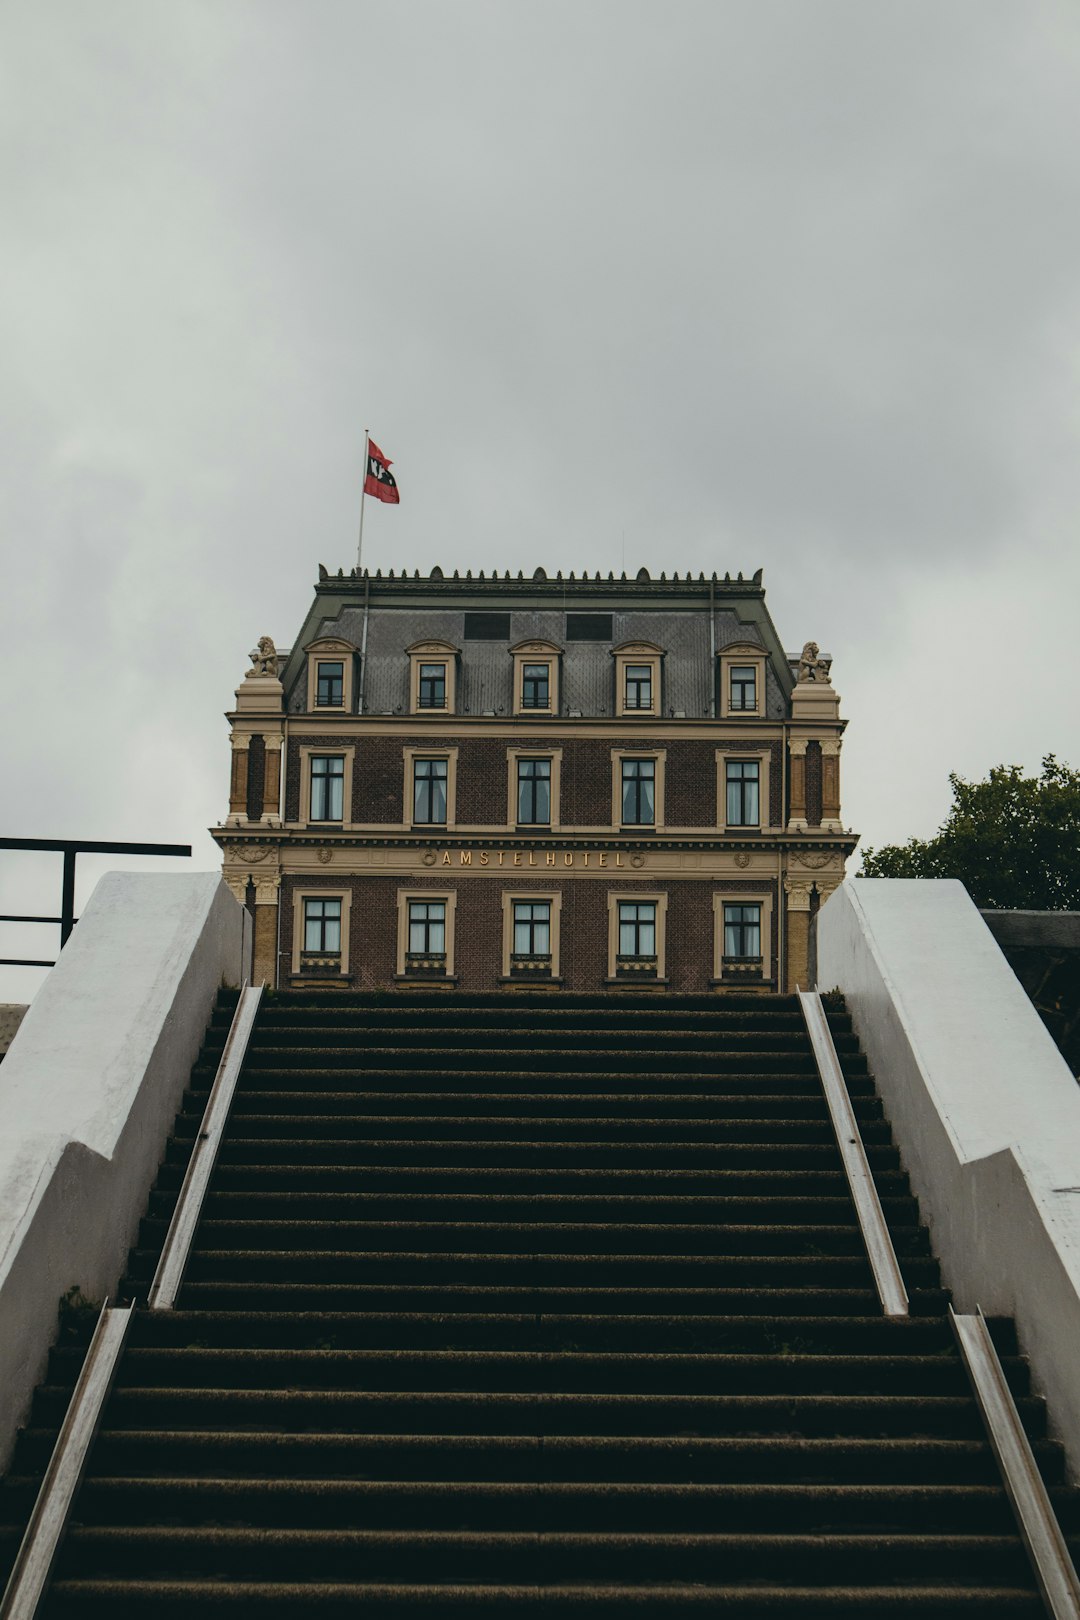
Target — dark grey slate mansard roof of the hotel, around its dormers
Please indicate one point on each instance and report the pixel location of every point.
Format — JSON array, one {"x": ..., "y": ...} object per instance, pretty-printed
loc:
[{"x": 674, "y": 615}]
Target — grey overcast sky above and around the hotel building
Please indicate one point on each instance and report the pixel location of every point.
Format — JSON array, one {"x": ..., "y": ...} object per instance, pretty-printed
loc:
[{"x": 702, "y": 284}]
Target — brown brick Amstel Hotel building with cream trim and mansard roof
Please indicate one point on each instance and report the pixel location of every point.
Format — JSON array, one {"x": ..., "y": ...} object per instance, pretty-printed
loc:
[{"x": 556, "y": 783}]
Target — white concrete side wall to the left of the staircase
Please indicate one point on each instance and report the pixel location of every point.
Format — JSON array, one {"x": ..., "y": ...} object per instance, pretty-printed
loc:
[{"x": 88, "y": 1094}]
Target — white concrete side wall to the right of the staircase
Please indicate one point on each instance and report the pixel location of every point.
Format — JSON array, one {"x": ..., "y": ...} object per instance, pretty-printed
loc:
[{"x": 984, "y": 1109}]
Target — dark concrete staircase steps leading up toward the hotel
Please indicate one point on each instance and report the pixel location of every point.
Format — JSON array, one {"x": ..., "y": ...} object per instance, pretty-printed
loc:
[{"x": 546, "y": 1305}]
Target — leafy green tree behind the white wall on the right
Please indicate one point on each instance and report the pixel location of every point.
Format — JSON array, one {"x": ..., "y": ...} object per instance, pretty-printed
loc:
[{"x": 1014, "y": 842}]
